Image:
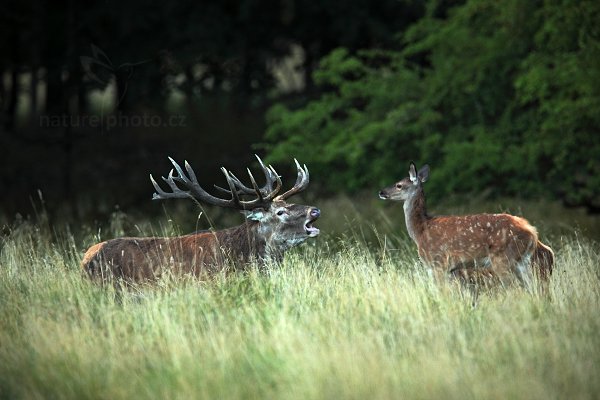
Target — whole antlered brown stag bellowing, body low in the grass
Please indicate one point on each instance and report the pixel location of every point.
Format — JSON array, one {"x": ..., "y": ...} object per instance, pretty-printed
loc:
[{"x": 272, "y": 226}]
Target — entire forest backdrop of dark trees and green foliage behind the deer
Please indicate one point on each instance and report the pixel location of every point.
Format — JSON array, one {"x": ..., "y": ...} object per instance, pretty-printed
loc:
[{"x": 501, "y": 98}]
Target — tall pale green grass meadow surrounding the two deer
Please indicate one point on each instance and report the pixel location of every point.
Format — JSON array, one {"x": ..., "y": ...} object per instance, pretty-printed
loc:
[{"x": 349, "y": 315}]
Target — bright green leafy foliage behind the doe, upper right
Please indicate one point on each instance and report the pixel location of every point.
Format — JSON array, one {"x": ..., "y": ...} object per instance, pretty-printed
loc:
[{"x": 499, "y": 97}]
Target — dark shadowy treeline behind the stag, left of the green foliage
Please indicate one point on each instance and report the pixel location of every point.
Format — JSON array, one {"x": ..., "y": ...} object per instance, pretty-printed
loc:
[{"x": 95, "y": 95}]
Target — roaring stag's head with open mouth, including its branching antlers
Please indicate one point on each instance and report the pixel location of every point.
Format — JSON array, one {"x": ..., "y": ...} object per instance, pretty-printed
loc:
[{"x": 282, "y": 225}]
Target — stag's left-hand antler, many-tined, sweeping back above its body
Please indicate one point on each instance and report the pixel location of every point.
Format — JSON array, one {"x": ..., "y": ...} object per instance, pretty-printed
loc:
[{"x": 264, "y": 195}]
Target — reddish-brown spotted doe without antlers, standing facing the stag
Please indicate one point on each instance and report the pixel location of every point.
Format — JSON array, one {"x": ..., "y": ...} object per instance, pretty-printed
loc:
[{"x": 470, "y": 247}]
